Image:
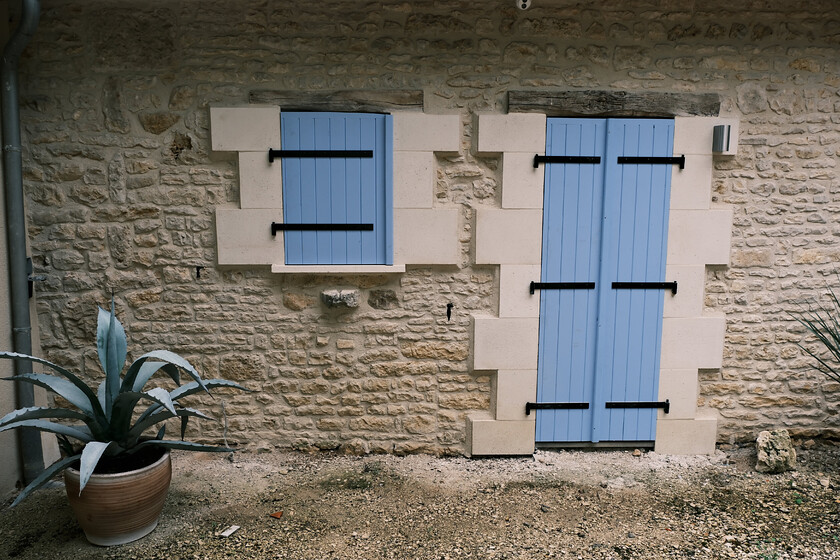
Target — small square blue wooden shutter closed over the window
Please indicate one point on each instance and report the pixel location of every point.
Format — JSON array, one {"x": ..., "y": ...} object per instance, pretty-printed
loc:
[{"x": 338, "y": 190}]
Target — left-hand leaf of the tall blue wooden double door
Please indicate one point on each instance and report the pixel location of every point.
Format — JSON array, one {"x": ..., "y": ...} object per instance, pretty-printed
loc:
[{"x": 573, "y": 200}]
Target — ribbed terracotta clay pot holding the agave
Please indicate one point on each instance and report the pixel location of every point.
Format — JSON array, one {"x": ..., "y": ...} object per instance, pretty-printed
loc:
[{"x": 122, "y": 507}]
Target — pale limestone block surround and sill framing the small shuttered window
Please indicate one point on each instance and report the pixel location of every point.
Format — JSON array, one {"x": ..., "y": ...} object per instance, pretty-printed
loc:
[{"x": 423, "y": 233}]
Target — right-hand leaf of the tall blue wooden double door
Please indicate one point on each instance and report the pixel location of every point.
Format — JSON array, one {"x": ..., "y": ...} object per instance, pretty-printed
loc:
[{"x": 635, "y": 229}]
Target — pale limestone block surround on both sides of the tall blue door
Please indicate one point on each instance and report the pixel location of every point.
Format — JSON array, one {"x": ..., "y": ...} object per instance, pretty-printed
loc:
[{"x": 699, "y": 235}]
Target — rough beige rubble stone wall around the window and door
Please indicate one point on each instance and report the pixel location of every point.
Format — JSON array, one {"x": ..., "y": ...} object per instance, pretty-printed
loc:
[{"x": 122, "y": 188}]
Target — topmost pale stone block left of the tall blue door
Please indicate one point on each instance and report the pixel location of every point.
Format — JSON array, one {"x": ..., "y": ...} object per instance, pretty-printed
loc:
[{"x": 514, "y": 132}]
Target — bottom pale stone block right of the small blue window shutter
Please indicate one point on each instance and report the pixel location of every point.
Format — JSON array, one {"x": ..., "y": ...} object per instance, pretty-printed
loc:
[{"x": 426, "y": 236}]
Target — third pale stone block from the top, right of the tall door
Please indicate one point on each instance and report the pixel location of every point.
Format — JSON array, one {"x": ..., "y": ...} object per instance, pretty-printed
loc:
[{"x": 700, "y": 236}]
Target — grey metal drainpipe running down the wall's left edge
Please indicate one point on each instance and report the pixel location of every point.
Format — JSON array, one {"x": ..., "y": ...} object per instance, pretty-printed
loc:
[{"x": 29, "y": 439}]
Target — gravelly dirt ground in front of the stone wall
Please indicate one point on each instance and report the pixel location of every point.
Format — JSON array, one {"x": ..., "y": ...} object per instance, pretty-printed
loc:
[{"x": 558, "y": 504}]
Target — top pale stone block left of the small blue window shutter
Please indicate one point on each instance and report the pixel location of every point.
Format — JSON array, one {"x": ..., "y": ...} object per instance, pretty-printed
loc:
[{"x": 245, "y": 129}]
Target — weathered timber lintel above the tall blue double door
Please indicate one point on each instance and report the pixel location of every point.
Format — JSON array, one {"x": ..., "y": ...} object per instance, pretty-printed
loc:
[{"x": 602, "y": 103}]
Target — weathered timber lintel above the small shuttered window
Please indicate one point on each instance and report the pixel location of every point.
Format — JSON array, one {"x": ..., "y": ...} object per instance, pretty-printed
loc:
[{"x": 347, "y": 100}]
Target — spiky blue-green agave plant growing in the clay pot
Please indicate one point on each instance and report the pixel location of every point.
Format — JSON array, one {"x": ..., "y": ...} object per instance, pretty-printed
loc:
[{"x": 106, "y": 423}]
